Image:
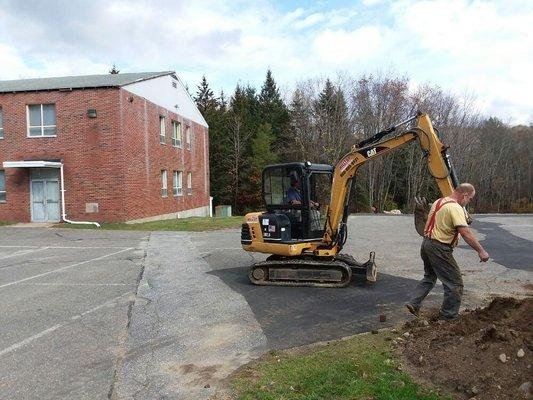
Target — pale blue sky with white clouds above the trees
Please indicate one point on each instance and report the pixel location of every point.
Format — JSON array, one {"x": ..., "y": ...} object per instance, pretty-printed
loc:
[{"x": 479, "y": 48}]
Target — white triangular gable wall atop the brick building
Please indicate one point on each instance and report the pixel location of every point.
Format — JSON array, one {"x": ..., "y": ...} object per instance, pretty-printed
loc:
[{"x": 160, "y": 91}]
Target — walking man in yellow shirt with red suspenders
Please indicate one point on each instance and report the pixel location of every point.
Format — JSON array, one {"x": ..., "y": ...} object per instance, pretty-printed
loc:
[{"x": 446, "y": 221}]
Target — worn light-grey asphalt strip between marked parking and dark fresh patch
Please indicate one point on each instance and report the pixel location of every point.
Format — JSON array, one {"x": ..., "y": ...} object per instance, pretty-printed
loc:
[{"x": 188, "y": 329}]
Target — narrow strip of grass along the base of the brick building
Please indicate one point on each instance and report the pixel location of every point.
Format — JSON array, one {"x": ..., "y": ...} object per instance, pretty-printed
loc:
[{"x": 183, "y": 224}]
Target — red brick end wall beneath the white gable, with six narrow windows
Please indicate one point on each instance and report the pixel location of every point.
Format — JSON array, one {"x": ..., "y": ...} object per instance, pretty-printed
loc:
[{"x": 146, "y": 157}]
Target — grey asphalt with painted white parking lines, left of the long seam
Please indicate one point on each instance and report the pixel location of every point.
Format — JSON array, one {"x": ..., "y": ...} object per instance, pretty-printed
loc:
[{"x": 65, "y": 296}]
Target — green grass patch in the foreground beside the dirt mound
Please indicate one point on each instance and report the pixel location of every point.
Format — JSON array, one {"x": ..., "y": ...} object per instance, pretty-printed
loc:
[{"x": 362, "y": 367}]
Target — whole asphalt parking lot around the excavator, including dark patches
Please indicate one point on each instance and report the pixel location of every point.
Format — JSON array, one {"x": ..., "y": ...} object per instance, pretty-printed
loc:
[{"x": 135, "y": 315}]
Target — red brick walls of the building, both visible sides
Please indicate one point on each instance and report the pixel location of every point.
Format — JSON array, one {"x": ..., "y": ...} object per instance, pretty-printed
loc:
[{"x": 113, "y": 160}]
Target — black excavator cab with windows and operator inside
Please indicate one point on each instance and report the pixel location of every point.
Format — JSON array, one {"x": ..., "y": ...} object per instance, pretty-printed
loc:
[{"x": 296, "y": 197}]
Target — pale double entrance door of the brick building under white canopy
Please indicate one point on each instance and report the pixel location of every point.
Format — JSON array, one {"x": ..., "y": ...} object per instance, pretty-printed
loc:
[{"x": 44, "y": 193}]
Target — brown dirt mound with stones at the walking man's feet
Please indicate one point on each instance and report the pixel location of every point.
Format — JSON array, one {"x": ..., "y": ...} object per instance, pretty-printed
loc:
[{"x": 484, "y": 354}]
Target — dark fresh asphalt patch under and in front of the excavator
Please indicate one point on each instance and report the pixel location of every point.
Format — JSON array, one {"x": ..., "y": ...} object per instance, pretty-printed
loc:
[{"x": 294, "y": 316}]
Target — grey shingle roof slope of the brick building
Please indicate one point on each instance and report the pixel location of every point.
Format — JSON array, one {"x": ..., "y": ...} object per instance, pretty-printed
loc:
[{"x": 77, "y": 82}]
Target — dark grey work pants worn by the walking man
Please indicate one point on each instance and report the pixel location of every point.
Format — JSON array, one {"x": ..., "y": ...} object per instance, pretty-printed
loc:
[{"x": 439, "y": 263}]
